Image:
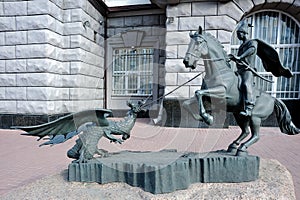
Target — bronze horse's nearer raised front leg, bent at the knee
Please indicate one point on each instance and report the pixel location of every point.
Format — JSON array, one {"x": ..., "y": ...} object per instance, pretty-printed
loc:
[{"x": 215, "y": 92}]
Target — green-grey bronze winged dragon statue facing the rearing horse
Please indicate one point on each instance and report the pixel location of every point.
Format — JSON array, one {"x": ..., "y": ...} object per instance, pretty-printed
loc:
[{"x": 90, "y": 126}]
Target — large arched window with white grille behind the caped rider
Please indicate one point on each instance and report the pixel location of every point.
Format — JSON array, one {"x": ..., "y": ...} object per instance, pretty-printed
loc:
[{"x": 282, "y": 32}]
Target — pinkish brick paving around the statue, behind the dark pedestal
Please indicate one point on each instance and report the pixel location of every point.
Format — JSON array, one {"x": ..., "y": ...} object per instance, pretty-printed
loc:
[{"x": 22, "y": 161}]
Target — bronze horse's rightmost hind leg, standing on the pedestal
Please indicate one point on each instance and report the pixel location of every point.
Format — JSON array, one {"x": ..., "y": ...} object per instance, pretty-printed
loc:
[{"x": 254, "y": 126}]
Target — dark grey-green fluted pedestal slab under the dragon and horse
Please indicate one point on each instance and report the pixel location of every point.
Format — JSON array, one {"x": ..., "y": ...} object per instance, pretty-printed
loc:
[{"x": 166, "y": 171}]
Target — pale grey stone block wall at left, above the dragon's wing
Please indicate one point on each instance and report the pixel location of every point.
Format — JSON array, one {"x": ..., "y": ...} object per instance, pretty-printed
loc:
[{"x": 51, "y": 57}]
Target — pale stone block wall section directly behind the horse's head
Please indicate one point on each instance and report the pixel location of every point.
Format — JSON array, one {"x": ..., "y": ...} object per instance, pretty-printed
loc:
[{"x": 185, "y": 17}]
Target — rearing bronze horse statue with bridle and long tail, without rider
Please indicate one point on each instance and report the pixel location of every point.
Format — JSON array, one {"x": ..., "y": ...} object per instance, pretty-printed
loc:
[{"x": 223, "y": 84}]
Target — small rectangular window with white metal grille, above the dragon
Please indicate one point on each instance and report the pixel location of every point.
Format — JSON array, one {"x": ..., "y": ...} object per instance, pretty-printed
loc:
[{"x": 132, "y": 72}]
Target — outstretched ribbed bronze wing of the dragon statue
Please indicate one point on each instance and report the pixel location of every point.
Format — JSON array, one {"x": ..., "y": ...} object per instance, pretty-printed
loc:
[{"x": 66, "y": 127}]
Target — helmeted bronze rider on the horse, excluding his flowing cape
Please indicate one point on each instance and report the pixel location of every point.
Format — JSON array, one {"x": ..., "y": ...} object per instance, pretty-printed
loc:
[{"x": 246, "y": 58}]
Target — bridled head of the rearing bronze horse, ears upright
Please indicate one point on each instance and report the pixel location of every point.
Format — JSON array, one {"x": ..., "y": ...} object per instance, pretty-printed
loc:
[{"x": 197, "y": 49}]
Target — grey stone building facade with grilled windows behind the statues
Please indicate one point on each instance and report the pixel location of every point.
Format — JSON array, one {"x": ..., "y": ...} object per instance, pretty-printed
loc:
[{"x": 62, "y": 56}]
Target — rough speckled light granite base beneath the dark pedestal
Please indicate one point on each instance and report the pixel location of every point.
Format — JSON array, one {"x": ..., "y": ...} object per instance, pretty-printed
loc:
[{"x": 275, "y": 182}]
